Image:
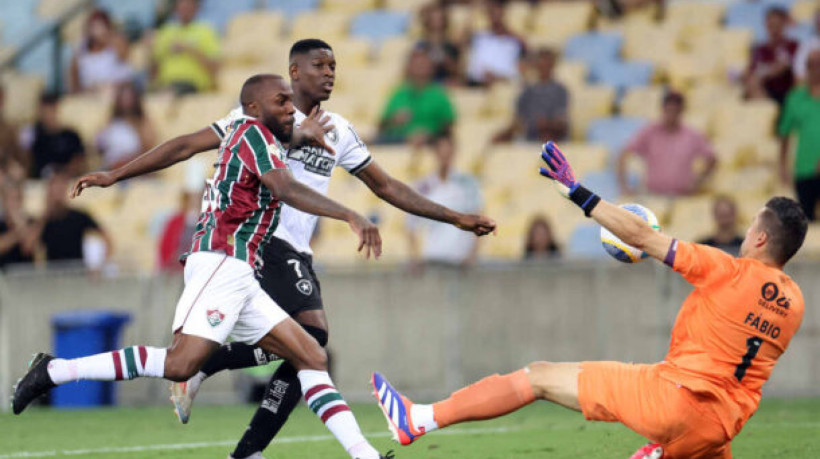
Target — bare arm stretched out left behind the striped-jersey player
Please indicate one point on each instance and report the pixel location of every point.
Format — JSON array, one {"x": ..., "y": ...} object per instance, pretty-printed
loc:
[{"x": 160, "y": 157}]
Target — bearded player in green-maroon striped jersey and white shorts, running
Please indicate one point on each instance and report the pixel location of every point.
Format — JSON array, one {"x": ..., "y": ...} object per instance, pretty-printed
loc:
[{"x": 221, "y": 296}]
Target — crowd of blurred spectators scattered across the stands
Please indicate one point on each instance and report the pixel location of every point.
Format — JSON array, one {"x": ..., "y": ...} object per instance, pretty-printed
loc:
[{"x": 185, "y": 58}]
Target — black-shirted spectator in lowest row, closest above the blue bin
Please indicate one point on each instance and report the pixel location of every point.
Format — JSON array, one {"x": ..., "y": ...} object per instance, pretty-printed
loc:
[{"x": 62, "y": 230}]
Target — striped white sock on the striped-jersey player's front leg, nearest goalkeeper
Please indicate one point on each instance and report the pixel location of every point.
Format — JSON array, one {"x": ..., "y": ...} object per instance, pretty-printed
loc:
[{"x": 323, "y": 399}]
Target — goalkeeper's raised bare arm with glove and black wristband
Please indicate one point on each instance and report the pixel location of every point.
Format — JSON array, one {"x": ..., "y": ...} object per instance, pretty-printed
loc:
[{"x": 624, "y": 224}]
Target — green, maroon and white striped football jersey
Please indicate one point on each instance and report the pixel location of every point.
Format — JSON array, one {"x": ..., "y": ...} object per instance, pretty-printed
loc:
[{"x": 240, "y": 214}]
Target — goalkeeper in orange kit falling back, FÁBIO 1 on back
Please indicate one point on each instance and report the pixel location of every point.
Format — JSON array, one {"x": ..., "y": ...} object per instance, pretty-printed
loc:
[{"x": 726, "y": 340}]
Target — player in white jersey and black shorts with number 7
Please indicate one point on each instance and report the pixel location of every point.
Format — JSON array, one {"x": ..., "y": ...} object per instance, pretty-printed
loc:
[{"x": 287, "y": 274}]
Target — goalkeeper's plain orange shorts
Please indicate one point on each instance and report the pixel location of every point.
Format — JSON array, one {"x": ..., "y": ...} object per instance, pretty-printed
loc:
[{"x": 659, "y": 410}]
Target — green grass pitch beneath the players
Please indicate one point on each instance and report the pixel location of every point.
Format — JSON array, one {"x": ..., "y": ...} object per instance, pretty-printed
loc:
[{"x": 781, "y": 428}]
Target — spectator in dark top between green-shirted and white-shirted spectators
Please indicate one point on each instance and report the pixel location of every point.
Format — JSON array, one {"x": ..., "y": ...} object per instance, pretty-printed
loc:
[{"x": 435, "y": 41}]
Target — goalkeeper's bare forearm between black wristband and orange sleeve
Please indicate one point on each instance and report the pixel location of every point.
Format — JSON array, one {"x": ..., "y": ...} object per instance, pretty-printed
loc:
[{"x": 631, "y": 229}]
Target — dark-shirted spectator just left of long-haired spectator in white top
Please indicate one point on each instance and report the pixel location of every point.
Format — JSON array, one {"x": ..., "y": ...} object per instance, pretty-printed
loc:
[{"x": 50, "y": 144}]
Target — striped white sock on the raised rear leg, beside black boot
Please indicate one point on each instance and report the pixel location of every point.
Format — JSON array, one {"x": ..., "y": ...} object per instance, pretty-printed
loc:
[{"x": 128, "y": 363}]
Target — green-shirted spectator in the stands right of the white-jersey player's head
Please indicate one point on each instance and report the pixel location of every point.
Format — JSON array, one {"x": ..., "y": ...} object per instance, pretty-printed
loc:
[{"x": 419, "y": 109}]
